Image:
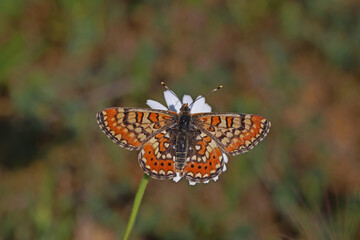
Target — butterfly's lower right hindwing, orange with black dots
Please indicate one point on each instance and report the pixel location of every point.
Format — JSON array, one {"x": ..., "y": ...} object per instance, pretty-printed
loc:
[{"x": 205, "y": 160}]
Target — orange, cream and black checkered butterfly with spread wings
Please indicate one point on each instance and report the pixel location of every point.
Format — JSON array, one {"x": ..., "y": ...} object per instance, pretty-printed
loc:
[{"x": 182, "y": 144}]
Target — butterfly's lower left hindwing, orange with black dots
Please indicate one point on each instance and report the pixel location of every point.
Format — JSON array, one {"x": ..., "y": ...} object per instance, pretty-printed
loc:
[{"x": 156, "y": 158}]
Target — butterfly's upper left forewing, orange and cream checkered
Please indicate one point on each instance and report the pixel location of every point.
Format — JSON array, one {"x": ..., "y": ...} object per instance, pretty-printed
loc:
[{"x": 131, "y": 128}]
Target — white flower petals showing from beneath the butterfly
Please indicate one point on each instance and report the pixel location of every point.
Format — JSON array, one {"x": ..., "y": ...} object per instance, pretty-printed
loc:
[{"x": 174, "y": 104}]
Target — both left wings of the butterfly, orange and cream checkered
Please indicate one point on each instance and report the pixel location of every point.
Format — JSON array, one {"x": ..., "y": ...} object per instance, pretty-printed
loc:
[{"x": 135, "y": 128}]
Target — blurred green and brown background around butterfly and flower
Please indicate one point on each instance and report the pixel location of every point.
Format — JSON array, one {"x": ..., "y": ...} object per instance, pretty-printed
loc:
[{"x": 293, "y": 62}]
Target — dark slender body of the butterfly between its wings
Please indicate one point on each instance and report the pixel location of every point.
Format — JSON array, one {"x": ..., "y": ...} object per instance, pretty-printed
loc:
[{"x": 182, "y": 139}]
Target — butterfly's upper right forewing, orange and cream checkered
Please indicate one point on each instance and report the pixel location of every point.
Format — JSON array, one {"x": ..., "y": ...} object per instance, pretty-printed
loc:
[{"x": 234, "y": 133}]
